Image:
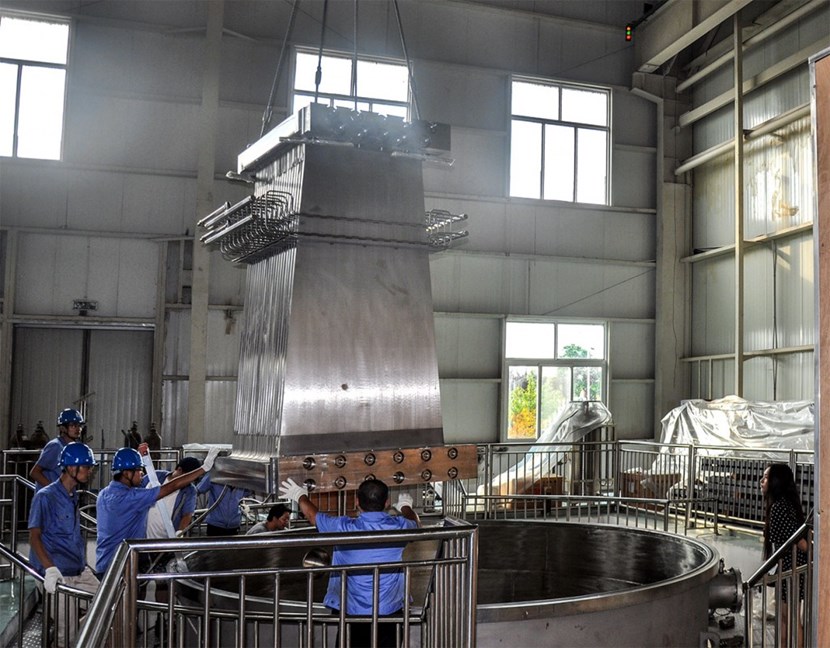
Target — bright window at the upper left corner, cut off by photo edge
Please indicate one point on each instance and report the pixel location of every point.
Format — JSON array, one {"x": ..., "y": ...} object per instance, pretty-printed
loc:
[{"x": 32, "y": 80}]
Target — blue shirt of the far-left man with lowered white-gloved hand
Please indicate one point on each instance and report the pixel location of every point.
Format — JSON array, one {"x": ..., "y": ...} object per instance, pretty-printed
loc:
[{"x": 55, "y": 512}]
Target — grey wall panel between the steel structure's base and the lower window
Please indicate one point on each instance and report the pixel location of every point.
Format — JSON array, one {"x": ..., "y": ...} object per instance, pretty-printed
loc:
[{"x": 470, "y": 411}]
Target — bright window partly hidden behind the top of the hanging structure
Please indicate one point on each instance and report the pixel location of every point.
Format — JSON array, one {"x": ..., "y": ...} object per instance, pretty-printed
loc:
[{"x": 376, "y": 86}]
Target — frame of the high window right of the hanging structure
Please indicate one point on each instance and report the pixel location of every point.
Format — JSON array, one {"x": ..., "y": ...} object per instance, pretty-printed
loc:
[{"x": 575, "y": 126}]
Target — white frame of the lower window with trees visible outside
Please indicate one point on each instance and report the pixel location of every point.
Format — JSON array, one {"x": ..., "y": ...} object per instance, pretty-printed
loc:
[{"x": 541, "y": 363}]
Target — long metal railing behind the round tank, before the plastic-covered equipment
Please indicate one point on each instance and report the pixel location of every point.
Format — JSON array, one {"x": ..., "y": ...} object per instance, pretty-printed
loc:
[{"x": 640, "y": 469}]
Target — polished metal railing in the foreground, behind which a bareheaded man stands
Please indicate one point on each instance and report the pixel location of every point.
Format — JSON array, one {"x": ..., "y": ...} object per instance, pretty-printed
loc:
[{"x": 231, "y": 607}]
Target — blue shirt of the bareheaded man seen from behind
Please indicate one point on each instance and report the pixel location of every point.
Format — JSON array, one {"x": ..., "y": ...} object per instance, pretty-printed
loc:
[{"x": 391, "y": 590}]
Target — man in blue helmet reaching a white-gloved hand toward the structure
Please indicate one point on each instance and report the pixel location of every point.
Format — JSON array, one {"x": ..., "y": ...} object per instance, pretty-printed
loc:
[{"x": 123, "y": 505}]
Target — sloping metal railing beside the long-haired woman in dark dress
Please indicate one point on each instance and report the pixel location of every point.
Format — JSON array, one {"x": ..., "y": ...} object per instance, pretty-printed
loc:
[{"x": 789, "y": 616}]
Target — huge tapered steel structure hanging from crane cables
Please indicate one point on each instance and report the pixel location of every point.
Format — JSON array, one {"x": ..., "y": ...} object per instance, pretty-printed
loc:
[{"x": 338, "y": 377}]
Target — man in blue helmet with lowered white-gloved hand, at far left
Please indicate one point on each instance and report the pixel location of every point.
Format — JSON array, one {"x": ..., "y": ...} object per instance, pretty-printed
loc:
[{"x": 58, "y": 550}]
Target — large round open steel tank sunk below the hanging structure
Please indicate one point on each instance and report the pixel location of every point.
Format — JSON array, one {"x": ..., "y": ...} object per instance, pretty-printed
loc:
[{"x": 551, "y": 584}]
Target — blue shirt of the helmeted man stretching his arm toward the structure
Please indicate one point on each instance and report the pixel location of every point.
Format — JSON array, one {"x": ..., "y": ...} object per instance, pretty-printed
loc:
[{"x": 122, "y": 514}]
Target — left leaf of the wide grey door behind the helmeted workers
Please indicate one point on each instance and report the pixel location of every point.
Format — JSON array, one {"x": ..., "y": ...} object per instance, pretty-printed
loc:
[{"x": 47, "y": 375}]
